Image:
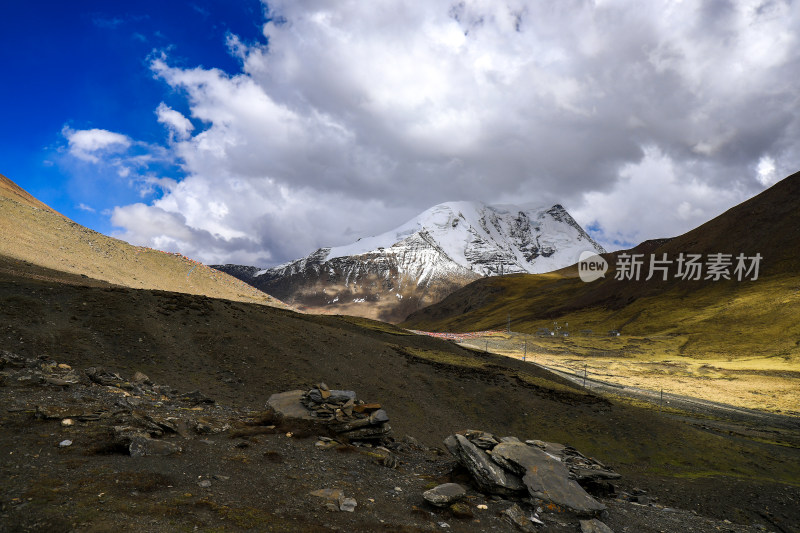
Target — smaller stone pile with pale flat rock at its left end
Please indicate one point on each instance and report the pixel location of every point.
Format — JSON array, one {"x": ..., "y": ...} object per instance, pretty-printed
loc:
[{"x": 338, "y": 410}]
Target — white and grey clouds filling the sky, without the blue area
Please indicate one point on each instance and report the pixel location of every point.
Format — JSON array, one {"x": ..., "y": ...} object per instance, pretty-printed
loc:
[{"x": 643, "y": 118}]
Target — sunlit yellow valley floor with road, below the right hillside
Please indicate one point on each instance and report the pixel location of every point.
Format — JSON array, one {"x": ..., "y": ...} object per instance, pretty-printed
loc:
[{"x": 764, "y": 384}]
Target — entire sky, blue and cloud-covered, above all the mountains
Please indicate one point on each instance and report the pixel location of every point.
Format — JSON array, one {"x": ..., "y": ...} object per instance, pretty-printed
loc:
[{"x": 254, "y": 133}]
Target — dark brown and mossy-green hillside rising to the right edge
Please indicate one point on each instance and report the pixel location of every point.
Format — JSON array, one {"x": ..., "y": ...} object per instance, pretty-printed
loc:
[{"x": 727, "y": 318}]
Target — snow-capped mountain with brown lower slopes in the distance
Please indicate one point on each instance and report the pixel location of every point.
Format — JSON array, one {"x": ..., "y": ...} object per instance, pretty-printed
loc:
[{"x": 390, "y": 275}]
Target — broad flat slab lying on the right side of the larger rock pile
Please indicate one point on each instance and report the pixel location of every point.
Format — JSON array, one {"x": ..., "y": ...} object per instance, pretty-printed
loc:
[{"x": 546, "y": 478}]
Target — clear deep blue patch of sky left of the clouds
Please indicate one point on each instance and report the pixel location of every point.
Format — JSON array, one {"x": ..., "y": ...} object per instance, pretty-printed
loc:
[{"x": 89, "y": 68}]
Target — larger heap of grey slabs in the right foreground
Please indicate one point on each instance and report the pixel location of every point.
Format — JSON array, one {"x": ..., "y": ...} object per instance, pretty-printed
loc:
[{"x": 552, "y": 474}]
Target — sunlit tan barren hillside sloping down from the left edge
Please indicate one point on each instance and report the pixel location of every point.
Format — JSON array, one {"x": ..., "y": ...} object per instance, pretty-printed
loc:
[{"x": 34, "y": 233}]
